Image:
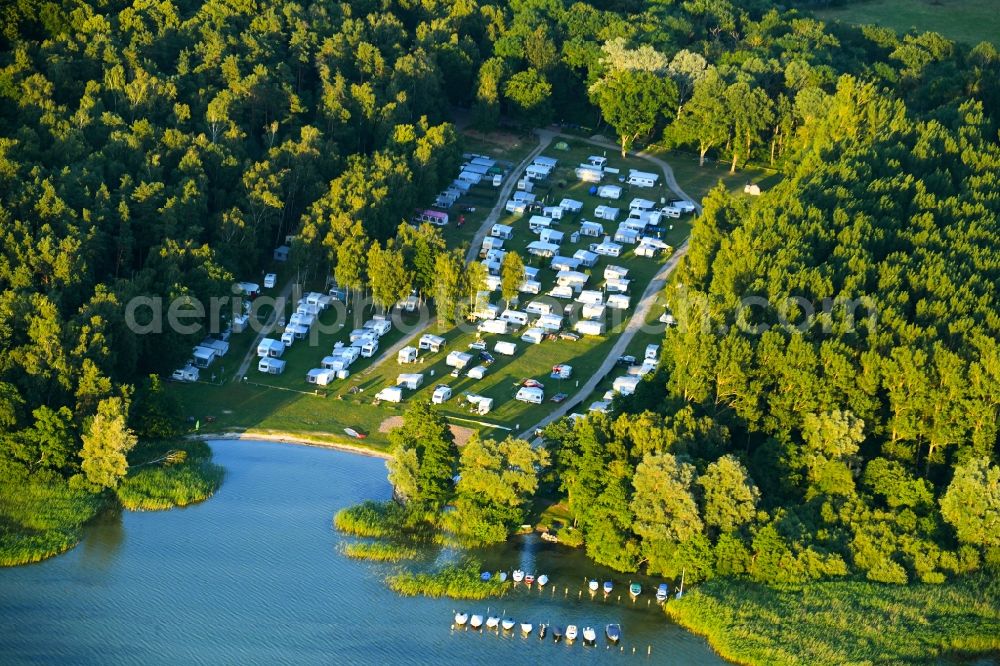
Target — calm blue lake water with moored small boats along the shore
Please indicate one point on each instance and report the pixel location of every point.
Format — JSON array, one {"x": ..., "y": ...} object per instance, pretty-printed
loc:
[{"x": 254, "y": 575}]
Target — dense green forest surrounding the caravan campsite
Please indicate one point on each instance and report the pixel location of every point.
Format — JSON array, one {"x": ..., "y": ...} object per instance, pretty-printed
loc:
[{"x": 165, "y": 148}]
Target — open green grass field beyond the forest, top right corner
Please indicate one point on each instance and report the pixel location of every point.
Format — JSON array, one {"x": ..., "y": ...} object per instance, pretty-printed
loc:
[{"x": 968, "y": 21}]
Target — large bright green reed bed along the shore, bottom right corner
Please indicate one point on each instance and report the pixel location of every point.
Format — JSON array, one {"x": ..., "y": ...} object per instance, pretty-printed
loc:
[{"x": 844, "y": 622}]
